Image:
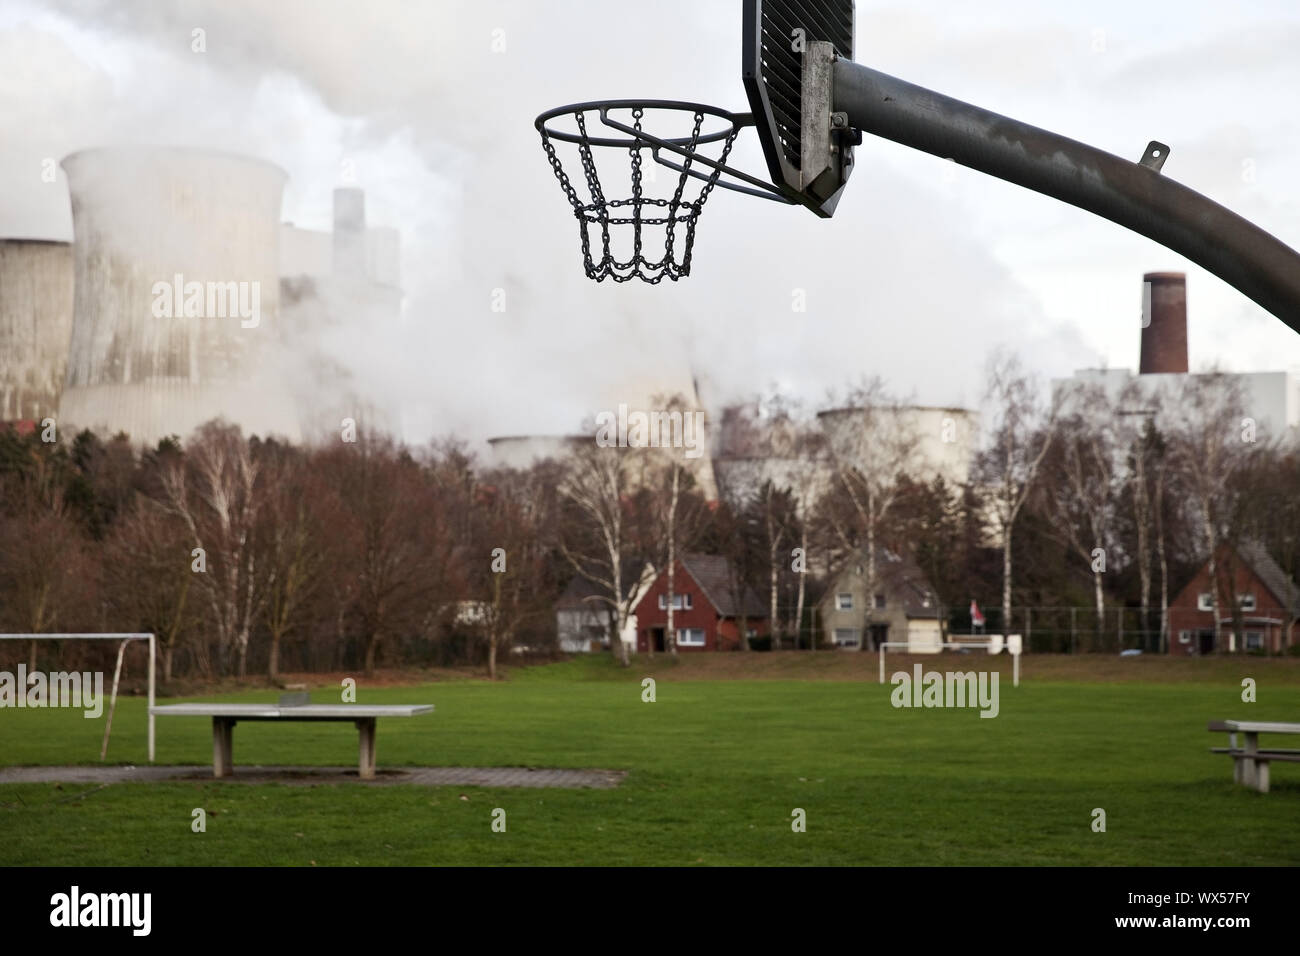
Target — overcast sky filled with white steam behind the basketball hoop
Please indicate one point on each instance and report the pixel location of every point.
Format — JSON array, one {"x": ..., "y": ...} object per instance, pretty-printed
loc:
[{"x": 925, "y": 269}]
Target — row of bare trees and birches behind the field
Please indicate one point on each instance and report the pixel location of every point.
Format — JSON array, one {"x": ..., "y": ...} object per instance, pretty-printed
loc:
[{"x": 250, "y": 556}]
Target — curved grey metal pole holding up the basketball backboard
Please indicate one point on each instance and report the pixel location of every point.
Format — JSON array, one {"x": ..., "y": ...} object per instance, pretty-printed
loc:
[{"x": 1132, "y": 194}]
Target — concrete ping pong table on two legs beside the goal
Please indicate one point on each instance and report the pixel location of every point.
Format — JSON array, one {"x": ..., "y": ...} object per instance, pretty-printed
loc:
[{"x": 227, "y": 716}]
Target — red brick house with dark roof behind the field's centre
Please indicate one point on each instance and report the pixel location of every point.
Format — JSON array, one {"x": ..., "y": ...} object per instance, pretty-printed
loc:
[{"x": 705, "y": 608}]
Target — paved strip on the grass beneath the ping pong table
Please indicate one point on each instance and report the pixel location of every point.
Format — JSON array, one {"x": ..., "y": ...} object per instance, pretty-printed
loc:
[{"x": 426, "y": 777}]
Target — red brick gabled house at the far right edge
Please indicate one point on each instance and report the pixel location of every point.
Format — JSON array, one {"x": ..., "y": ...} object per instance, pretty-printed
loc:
[{"x": 1250, "y": 585}]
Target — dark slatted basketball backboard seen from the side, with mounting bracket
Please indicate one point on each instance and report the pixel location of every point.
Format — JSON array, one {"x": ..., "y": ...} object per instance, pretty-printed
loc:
[{"x": 791, "y": 100}]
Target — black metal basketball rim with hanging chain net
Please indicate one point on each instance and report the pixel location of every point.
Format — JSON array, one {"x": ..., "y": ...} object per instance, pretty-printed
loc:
[{"x": 635, "y": 224}]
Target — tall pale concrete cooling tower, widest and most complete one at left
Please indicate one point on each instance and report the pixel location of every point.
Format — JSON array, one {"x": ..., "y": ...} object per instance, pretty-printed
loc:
[{"x": 177, "y": 295}]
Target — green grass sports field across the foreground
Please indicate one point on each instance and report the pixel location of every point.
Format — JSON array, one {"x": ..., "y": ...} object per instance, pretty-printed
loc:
[{"x": 716, "y": 769}]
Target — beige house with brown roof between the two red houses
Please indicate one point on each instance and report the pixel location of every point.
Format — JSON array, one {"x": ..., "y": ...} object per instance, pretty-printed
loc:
[{"x": 903, "y": 607}]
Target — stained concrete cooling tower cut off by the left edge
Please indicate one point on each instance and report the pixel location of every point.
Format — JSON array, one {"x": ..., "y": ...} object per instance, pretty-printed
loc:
[{"x": 36, "y": 325}]
